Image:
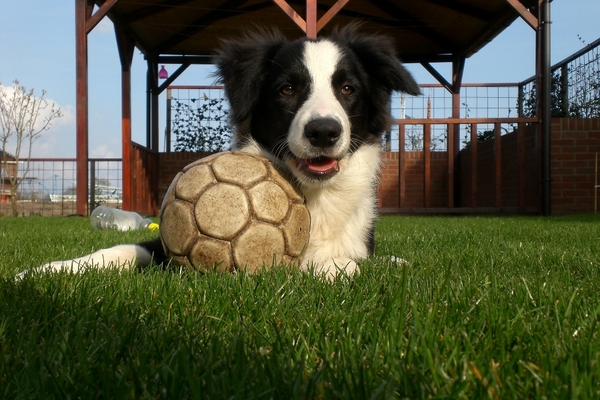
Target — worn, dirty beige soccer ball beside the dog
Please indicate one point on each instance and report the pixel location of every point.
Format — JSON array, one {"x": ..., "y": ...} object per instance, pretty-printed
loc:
[{"x": 233, "y": 211}]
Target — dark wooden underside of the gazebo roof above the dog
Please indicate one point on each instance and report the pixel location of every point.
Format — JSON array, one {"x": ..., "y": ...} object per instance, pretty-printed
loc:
[{"x": 424, "y": 30}]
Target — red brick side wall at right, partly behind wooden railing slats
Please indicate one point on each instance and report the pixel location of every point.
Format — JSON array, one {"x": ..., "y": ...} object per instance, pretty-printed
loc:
[{"x": 575, "y": 143}]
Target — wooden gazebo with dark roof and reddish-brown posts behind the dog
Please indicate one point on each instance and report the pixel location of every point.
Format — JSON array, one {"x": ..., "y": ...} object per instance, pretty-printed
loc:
[{"x": 185, "y": 32}]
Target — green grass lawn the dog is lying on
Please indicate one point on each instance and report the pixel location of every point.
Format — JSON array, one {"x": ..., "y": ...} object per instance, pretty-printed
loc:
[{"x": 487, "y": 307}]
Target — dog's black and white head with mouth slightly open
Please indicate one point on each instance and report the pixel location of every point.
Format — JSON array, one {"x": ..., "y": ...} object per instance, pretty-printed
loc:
[{"x": 311, "y": 103}]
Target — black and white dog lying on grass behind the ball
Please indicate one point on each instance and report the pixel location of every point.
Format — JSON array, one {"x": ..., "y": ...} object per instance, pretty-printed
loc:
[{"x": 316, "y": 108}]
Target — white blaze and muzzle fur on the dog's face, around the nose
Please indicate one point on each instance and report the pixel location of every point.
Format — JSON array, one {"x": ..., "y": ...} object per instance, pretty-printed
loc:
[{"x": 321, "y": 60}]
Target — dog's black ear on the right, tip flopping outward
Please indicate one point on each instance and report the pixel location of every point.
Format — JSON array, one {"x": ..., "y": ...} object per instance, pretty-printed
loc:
[{"x": 385, "y": 73}]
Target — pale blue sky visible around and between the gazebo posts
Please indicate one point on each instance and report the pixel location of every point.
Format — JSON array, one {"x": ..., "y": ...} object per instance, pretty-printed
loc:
[{"x": 37, "y": 47}]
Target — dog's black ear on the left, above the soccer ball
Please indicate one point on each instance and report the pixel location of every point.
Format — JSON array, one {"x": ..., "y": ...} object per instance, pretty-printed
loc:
[{"x": 241, "y": 67}]
